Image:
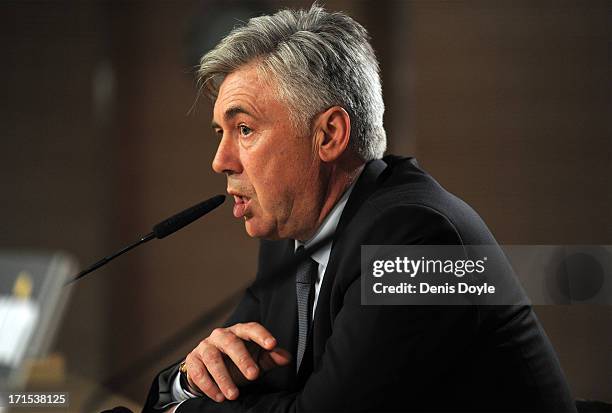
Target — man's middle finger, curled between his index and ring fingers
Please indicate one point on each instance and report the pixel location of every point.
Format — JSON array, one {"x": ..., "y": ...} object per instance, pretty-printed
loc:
[{"x": 235, "y": 348}]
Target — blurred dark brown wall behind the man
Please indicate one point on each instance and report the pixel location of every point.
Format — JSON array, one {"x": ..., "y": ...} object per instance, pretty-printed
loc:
[{"x": 506, "y": 103}]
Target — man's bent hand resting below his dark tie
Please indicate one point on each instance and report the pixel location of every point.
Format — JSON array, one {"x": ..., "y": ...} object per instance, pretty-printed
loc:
[{"x": 232, "y": 356}]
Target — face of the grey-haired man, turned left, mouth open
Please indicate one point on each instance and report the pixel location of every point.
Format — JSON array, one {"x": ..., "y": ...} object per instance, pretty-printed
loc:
[{"x": 272, "y": 170}]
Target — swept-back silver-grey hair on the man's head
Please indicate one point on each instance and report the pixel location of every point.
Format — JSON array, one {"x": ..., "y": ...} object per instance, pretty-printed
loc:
[{"x": 317, "y": 60}]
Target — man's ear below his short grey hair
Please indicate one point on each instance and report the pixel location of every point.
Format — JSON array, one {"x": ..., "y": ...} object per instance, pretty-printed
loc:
[{"x": 333, "y": 133}]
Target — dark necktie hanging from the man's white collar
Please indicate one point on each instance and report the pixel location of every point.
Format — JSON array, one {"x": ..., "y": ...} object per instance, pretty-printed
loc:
[{"x": 306, "y": 275}]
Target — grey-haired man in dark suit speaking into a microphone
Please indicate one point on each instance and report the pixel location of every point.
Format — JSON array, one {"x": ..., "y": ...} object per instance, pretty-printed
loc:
[{"x": 299, "y": 114}]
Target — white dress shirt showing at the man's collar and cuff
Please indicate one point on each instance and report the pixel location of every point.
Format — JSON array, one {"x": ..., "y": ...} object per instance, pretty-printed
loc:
[{"x": 321, "y": 257}]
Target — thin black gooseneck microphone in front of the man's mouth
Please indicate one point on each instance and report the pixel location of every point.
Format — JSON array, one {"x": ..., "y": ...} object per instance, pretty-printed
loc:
[{"x": 162, "y": 230}]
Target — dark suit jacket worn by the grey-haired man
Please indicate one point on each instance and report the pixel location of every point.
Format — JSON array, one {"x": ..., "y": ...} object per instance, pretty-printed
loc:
[{"x": 393, "y": 358}]
